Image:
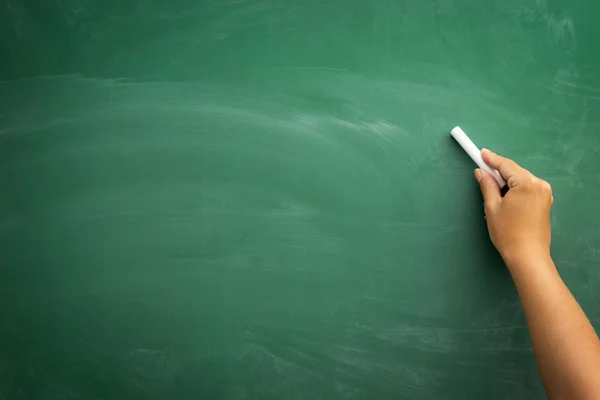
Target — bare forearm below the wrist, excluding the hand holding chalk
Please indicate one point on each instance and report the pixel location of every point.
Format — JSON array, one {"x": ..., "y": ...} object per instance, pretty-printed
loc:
[{"x": 566, "y": 347}]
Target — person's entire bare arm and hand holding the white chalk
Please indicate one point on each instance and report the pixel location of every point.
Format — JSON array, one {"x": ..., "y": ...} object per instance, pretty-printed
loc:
[{"x": 566, "y": 348}]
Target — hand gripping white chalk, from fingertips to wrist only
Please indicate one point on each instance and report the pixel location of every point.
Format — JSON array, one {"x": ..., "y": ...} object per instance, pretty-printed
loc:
[{"x": 519, "y": 222}]
